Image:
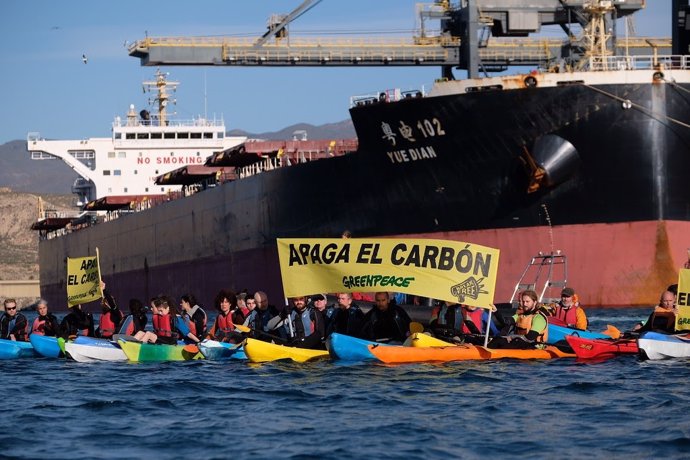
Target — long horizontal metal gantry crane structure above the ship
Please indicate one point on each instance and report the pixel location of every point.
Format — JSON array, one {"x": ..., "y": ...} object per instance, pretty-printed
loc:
[{"x": 475, "y": 35}]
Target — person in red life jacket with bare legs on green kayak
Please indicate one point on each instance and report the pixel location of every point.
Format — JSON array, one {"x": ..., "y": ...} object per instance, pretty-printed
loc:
[{"x": 168, "y": 325}]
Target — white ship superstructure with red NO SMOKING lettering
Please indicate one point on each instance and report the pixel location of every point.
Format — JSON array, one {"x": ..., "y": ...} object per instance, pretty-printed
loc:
[{"x": 142, "y": 146}]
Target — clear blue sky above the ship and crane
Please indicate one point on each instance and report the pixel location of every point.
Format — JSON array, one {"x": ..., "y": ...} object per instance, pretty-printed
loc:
[{"x": 45, "y": 87}]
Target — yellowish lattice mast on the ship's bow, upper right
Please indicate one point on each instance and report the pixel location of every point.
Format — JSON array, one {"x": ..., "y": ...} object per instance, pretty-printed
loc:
[{"x": 596, "y": 35}]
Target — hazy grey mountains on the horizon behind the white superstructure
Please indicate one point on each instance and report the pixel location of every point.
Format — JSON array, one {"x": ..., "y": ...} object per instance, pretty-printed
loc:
[{"x": 22, "y": 174}]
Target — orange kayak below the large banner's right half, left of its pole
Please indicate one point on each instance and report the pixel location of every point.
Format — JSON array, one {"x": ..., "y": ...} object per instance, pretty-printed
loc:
[{"x": 398, "y": 354}]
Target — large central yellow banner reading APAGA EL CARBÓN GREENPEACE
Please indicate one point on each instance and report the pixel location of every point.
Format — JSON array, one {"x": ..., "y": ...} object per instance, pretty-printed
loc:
[{"x": 446, "y": 270}]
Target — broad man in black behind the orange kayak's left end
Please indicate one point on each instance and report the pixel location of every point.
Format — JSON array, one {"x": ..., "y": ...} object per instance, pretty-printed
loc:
[{"x": 386, "y": 321}]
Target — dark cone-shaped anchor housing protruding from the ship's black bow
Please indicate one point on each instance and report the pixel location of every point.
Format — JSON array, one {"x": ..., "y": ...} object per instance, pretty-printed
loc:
[{"x": 557, "y": 157}]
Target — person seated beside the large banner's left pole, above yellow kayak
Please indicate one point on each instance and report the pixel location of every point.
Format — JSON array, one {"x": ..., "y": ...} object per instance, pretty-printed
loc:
[{"x": 304, "y": 326}]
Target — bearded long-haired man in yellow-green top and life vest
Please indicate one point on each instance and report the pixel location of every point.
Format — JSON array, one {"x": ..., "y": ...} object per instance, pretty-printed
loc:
[{"x": 529, "y": 324}]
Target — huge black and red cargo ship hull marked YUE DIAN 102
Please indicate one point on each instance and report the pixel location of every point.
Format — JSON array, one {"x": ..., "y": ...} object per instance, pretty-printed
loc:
[{"x": 590, "y": 160}]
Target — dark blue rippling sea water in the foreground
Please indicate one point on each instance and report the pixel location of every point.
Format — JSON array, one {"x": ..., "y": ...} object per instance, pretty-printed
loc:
[{"x": 618, "y": 408}]
